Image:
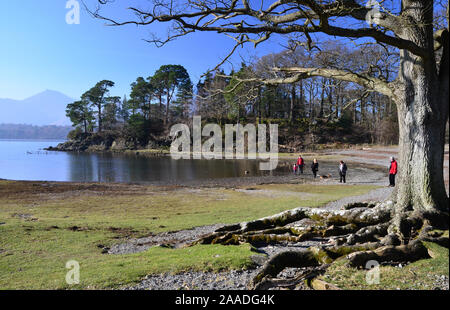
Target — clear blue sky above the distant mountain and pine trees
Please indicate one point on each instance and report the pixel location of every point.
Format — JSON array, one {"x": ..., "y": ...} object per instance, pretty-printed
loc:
[{"x": 40, "y": 51}]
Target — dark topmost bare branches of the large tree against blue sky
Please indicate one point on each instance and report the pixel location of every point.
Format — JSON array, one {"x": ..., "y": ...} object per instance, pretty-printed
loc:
[{"x": 308, "y": 17}]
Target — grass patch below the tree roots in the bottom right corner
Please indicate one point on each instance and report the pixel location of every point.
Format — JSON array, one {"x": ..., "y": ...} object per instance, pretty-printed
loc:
[{"x": 419, "y": 275}]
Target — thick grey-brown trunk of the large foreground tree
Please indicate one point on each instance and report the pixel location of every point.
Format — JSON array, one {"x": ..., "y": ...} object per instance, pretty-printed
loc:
[{"x": 422, "y": 114}]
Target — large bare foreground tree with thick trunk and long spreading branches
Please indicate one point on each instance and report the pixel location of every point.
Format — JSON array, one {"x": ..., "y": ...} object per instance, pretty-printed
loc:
[{"x": 417, "y": 29}]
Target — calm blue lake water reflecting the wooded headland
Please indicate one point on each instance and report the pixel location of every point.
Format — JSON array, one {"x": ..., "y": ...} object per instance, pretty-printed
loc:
[{"x": 27, "y": 160}]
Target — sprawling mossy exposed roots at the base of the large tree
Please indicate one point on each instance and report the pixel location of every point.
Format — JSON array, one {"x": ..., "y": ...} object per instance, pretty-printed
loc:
[{"x": 360, "y": 232}]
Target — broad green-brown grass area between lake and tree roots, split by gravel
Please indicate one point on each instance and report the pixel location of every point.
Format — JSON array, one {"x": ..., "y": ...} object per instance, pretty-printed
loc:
[{"x": 45, "y": 224}]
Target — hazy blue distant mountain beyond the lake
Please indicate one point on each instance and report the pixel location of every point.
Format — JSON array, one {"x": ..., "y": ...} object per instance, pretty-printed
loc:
[{"x": 46, "y": 108}]
